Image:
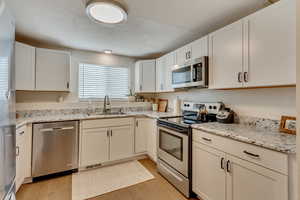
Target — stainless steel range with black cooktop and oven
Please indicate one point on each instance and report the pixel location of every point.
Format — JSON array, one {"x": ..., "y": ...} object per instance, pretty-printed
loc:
[{"x": 175, "y": 143}]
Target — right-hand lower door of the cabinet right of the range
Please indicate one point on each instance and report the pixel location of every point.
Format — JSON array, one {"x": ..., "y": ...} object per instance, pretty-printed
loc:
[{"x": 248, "y": 181}]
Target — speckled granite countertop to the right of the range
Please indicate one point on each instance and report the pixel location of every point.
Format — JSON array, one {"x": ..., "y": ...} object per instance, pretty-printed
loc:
[{"x": 270, "y": 139}]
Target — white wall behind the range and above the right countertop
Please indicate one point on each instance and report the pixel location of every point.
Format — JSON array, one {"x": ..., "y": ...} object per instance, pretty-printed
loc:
[{"x": 270, "y": 103}]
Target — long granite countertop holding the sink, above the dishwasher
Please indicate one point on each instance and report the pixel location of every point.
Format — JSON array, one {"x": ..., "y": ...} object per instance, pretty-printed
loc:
[{"x": 66, "y": 117}]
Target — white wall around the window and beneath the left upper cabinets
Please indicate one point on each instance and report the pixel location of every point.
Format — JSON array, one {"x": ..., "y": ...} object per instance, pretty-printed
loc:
[{"x": 78, "y": 57}]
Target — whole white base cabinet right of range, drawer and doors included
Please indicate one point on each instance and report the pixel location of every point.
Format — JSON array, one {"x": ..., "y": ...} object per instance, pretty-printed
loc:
[{"x": 227, "y": 169}]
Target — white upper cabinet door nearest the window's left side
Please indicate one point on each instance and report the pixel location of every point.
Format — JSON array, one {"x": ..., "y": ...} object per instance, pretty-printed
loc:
[{"x": 52, "y": 70}]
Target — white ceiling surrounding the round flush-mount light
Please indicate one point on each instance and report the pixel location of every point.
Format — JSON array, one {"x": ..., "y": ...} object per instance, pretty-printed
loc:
[{"x": 153, "y": 27}]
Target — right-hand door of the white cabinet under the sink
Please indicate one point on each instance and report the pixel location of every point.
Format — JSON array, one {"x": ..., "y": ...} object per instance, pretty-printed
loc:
[{"x": 121, "y": 142}]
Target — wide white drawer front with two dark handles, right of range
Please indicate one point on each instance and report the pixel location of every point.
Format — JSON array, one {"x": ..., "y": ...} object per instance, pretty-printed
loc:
[{"x": 270, "y": 159}]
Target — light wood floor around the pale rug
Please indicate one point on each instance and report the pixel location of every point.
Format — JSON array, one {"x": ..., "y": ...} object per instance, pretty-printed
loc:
[{"x": 61, "y": 189}]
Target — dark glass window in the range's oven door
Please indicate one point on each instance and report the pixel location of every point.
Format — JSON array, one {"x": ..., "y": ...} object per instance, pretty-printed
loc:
[{"x": 171, "y": 144}]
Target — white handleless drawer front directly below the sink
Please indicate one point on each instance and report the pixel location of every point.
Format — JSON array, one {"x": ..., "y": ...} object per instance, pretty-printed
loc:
[{"x": 100, "y": 123}]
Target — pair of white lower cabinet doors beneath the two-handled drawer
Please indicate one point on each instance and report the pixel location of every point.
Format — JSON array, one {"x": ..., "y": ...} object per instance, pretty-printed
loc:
[{"x": 219, "y": 176}]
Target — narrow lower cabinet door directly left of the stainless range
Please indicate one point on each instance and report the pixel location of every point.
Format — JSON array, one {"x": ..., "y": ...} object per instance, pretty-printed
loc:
[{"x": 152, "y": 139}]
